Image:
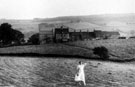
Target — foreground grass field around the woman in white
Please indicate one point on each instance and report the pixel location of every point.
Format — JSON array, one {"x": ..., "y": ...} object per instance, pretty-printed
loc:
[{"x": 60, "y": 72}]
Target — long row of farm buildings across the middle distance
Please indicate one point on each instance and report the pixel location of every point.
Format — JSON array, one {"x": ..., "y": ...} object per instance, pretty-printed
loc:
[{"x": 71, "y": 32}]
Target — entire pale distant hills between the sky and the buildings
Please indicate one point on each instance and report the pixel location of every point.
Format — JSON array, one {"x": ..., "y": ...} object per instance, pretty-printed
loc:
[{"x": 124, "y": 23}]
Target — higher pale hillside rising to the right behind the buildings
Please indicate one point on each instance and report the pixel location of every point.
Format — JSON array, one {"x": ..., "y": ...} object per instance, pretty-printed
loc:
[{"x": 124, "y": 23}]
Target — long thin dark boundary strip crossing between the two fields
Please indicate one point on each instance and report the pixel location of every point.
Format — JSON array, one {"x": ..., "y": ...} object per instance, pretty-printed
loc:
[{"x": 35, "y": 55}]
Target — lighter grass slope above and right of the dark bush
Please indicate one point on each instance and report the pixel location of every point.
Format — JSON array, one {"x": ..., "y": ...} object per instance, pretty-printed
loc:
[{"x": 118, "y": 48}]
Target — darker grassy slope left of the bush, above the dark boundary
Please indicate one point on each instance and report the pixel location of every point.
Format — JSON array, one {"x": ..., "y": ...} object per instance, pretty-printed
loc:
[{"x": 47, "y": 49}]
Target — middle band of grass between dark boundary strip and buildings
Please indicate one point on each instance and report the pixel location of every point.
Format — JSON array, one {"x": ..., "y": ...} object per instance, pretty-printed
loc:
[{"x": 119, "y": 49}]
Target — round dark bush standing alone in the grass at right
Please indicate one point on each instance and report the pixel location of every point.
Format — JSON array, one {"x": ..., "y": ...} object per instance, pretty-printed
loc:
[{"x": 102, "y": 52}]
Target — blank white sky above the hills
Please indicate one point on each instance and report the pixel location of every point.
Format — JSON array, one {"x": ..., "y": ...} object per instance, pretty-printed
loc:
[{"x": 29, "y": 9}]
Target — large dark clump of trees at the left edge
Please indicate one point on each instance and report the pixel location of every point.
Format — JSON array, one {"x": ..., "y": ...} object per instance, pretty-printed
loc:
[{"x": 9, "y": 36}]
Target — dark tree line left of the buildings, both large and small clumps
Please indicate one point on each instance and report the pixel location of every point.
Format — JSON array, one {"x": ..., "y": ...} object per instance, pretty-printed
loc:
[{"x": 10, "y": 36}]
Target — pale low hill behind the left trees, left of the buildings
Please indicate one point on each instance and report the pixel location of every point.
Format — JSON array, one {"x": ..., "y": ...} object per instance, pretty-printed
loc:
[{"x": 28, "y": 27}]
